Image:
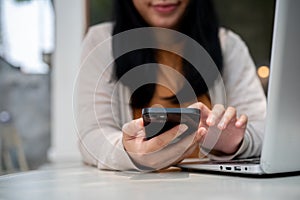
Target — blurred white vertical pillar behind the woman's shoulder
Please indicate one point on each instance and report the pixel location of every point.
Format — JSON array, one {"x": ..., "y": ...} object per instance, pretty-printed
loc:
[{"x": 70, "y": 26}]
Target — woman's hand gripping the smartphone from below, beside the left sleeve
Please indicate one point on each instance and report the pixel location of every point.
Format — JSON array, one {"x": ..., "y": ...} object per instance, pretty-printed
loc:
[{"x": 158, "y": 152}]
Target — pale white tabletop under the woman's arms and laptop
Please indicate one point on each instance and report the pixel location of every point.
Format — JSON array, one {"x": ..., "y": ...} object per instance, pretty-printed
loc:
[{"x": 85, "y": 183}]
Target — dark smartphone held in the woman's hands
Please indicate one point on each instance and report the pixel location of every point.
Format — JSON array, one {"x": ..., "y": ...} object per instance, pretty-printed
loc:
[{"x": 159, "y": 120}]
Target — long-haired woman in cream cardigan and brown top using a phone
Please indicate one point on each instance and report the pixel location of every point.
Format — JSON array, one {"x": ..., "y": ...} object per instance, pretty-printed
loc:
[{"x": 111, "y": 130}]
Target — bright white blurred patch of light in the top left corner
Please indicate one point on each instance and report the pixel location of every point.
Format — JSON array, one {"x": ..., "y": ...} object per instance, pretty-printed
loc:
[{"x": 27, "y": 34}]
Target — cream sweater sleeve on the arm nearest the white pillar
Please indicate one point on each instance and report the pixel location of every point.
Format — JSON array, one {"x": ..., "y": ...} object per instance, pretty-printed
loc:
[{"x": 97, "y": 109}]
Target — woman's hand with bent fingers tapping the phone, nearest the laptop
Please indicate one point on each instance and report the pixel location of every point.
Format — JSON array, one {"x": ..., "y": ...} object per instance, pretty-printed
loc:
[{"x": 222, "y": 125}]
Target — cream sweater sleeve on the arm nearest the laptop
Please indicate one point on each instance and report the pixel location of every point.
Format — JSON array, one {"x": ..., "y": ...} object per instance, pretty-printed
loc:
[{"x": 244, "y": 92}]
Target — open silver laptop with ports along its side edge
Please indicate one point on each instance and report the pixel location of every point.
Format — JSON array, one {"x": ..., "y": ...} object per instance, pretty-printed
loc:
[{"x": 281, "y": 146}]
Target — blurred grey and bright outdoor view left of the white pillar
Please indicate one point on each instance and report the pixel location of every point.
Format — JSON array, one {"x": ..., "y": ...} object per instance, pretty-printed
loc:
[{"x": 26, "y": 45}]
